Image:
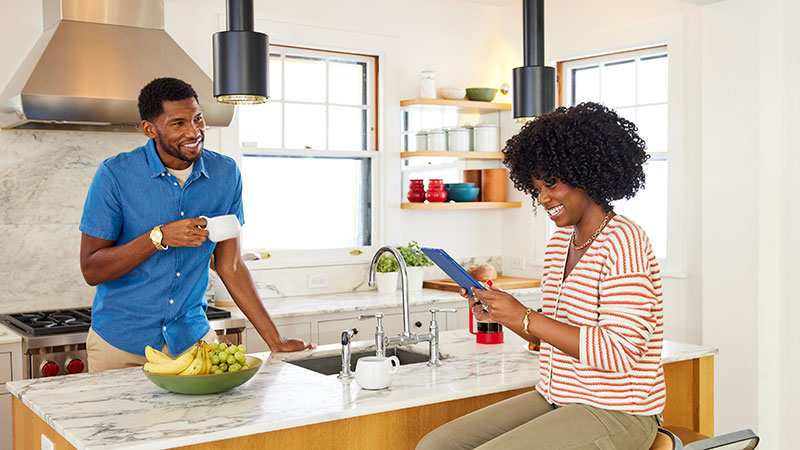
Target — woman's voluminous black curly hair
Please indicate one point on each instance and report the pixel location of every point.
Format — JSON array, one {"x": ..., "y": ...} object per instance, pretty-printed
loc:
[{"x": 587, "y": 146}]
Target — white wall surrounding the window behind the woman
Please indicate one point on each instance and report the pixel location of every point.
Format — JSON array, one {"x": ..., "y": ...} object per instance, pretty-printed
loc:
[{"x": 579, "y": 28}]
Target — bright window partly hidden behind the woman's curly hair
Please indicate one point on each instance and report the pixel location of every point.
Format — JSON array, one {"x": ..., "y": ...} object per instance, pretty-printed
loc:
[{"x": 634, "y": 84}]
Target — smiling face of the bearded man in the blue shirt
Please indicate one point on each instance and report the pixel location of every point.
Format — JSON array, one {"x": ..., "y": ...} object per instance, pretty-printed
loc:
[{"x": 179, "y": 132}]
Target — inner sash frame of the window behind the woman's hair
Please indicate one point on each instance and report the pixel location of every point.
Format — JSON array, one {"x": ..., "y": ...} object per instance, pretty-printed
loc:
[{"x": 673, "y": 264}]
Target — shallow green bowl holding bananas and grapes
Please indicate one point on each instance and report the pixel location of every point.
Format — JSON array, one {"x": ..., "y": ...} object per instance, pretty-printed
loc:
[{"x": 205, "y": 384}]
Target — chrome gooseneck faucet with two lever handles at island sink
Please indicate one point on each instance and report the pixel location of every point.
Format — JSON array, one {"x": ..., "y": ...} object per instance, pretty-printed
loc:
[{"x": 382, "y": 342}]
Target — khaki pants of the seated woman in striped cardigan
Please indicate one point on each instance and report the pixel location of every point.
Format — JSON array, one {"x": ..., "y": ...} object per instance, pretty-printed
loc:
[{"x": 528, "y": 422}]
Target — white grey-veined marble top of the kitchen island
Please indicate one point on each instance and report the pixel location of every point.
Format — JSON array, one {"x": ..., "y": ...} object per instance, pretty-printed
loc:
[{"x": 122, "y": 409}]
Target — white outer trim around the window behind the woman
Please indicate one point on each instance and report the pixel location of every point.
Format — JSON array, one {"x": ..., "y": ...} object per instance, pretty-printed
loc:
[{"x": 669, "y": 32}]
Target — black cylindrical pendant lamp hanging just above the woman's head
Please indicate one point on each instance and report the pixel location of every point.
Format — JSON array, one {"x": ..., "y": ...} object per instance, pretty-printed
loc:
[{"x": 534, "y": 83}]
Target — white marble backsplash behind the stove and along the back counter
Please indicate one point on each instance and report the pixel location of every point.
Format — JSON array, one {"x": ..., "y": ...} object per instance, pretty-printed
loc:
[{"x": 45, "y": 176}]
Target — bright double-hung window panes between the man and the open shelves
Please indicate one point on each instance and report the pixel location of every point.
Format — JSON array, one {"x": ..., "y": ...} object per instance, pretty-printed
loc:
[{"x": 307, "y": 154}]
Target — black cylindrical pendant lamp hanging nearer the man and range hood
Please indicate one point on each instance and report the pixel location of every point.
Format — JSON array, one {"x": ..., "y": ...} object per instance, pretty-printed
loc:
[{"x": 240, "y": 58}]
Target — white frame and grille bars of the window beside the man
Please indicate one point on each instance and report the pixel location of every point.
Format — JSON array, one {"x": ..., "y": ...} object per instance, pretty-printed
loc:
[{"x": 272, "y": 259}]
